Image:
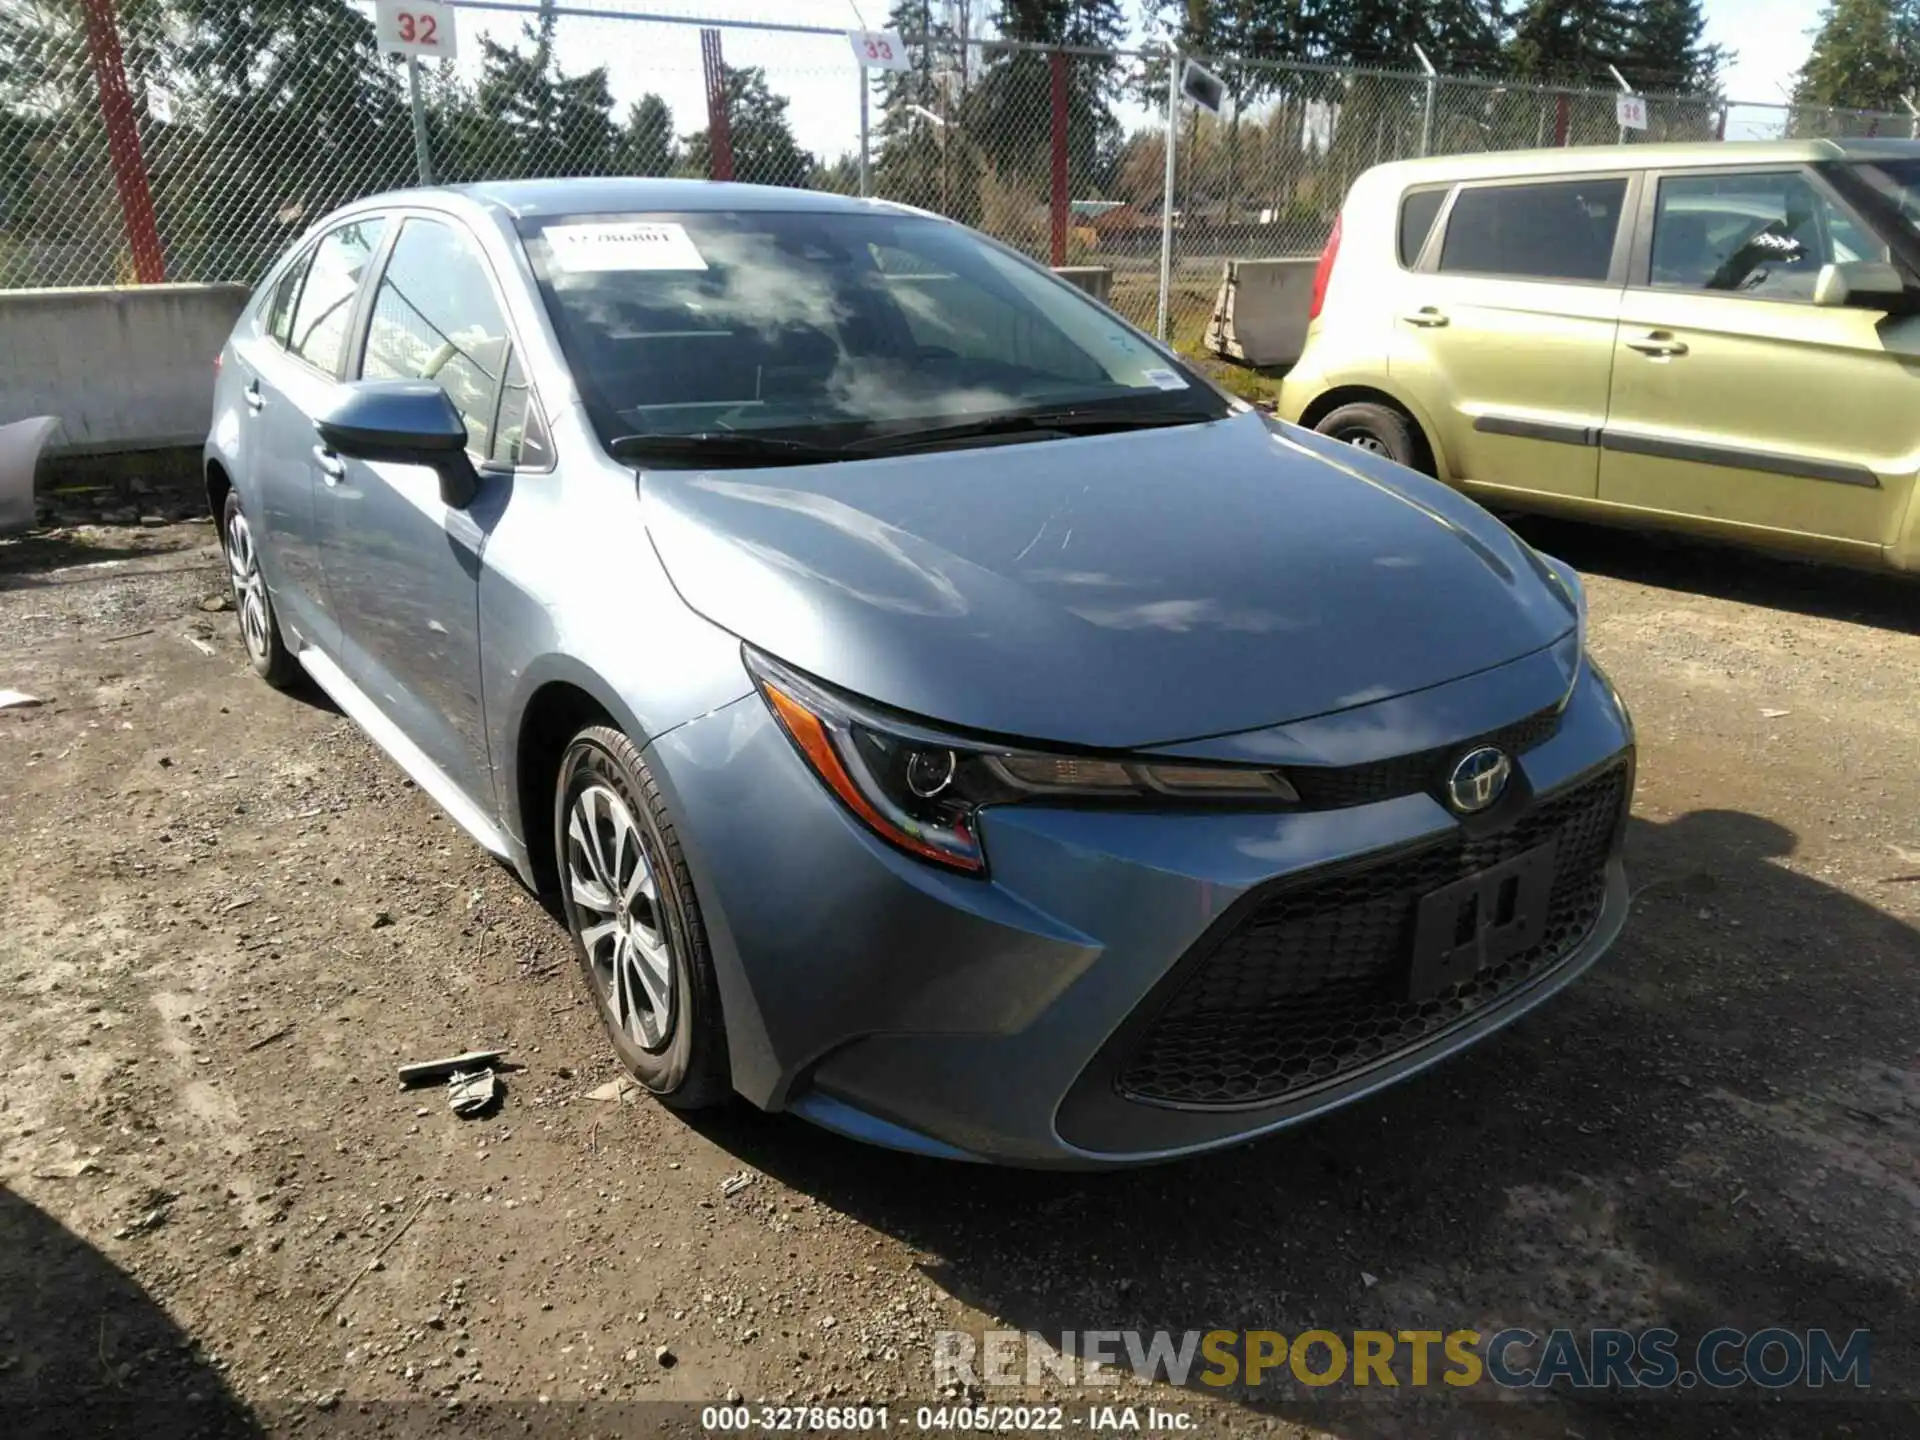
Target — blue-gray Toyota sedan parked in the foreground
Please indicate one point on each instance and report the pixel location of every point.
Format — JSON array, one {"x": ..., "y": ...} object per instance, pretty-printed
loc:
[{"x": 938, "y": 709}]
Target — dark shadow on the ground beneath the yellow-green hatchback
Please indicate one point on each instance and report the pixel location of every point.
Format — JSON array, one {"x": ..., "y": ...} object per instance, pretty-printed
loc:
[{"x": 1668, "y": 562}]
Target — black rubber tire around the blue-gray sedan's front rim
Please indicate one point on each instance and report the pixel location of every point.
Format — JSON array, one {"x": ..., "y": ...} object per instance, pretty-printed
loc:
[{"x": 686, "y": 1065}]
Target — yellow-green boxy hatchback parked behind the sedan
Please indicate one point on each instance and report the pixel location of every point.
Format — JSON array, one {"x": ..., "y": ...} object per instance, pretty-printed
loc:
[{"x": 1721, "y": 339}]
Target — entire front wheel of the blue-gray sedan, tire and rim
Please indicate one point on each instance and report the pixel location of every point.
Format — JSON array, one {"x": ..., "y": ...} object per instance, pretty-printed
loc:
[{"x": 636, "y": 924}]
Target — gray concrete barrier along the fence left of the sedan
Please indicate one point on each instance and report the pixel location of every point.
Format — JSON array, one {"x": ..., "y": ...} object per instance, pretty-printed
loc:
[{"x": 122, "y": 370}]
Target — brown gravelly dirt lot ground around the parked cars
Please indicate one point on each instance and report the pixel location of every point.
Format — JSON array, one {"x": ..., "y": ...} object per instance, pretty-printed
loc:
[{"x": 229, "y": 919}]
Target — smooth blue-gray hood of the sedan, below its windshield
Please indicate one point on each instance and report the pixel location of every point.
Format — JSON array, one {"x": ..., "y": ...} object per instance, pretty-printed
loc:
[{"x": 1118, "y": 590}]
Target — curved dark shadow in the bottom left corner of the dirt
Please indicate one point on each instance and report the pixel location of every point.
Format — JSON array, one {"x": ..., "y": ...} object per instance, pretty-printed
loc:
[{"x": 87, "y": 1353}]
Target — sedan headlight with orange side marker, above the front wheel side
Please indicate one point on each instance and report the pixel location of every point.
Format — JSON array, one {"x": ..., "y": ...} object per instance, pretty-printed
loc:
[{"x": 924, "y": 790}]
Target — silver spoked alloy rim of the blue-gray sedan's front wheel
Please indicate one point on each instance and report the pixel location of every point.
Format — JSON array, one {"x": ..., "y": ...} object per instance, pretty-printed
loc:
[{"x": 619, "y": 913}]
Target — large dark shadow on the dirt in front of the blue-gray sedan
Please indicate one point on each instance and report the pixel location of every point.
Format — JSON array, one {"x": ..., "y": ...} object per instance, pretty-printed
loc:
[{"x": 1669, "y": 1141}]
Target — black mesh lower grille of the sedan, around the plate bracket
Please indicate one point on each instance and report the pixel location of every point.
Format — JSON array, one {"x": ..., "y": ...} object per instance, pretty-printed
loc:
[{"x": 1312, "y": 984}]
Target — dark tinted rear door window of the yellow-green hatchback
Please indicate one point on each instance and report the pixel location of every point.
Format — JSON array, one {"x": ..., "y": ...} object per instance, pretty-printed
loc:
[{"x": 1548, "y": 231}]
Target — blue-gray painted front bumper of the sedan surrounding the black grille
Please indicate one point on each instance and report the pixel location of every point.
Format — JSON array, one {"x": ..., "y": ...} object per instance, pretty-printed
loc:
[{"x": 990, "y": 1020}]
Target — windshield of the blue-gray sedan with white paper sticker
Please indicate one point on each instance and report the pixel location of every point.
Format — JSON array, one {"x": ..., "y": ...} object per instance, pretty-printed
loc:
[{"x": 827, "y": 327}]
